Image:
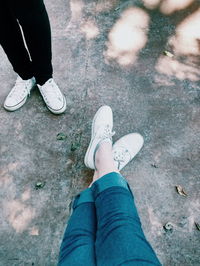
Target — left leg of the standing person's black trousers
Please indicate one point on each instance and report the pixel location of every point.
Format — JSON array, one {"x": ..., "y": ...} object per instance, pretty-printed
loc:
[{"x": 12, "y": 42}]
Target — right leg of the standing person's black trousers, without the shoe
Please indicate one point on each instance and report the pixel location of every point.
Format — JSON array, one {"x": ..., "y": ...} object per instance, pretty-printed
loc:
[{"x": 34, "y": 20}]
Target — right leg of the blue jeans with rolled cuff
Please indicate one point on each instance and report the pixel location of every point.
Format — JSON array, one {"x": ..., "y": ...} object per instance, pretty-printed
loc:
[{"x": 120, "y": 239}]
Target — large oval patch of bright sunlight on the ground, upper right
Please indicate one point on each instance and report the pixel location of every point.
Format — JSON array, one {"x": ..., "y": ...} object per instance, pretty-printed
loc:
[{"x": 127, "y": 37}]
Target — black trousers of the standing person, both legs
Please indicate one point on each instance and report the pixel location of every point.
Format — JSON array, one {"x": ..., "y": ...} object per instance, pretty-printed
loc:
[{"x": 34, "y": 21}]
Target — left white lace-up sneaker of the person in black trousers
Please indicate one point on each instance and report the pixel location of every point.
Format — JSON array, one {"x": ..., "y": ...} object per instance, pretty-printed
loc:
[{"x": 19, "y": 93}]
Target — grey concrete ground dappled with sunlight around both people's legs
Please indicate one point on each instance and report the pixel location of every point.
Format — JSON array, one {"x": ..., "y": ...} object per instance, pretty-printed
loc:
[{"x": 115, "y": 53}]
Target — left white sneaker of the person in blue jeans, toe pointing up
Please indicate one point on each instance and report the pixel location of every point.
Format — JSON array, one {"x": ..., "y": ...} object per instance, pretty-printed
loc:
[{"x": 102, "y": 125}]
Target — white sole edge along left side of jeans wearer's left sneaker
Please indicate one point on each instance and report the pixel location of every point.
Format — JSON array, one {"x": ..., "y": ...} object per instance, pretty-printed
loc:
[{"x": 89, "y": 156}]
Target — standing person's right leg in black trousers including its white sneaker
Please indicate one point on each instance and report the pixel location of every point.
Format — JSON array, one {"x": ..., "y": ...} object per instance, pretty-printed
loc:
[{"x": 33, "y": 18}]
